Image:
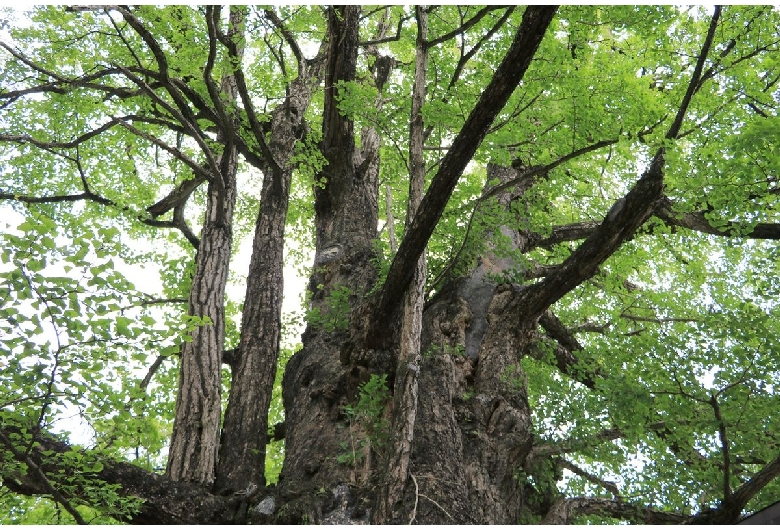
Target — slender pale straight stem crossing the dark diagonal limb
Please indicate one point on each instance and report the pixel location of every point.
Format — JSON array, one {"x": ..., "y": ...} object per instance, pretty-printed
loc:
[{"x": 409, "y": 360}]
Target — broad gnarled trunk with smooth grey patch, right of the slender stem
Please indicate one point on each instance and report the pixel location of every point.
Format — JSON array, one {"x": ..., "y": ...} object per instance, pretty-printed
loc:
[{"x": 473, "y": 428}]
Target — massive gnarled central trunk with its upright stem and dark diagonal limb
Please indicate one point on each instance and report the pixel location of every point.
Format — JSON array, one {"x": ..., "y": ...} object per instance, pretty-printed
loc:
[{"x": 329, "y": 451}]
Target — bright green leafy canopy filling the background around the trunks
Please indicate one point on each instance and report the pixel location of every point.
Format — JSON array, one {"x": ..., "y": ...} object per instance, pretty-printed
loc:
[{"x": 679, "y": 327}]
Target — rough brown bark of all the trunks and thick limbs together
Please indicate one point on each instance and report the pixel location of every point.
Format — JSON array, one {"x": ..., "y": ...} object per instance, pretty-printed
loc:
[{"x": 461, "y": 444}]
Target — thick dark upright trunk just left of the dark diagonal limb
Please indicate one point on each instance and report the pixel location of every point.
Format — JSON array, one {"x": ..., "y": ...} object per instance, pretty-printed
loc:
[{"x": 317, "y": 384}]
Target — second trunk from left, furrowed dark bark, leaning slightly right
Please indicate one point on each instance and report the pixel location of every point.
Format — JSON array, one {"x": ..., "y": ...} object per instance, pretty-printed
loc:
[{"x": 245, "y": 432}]
